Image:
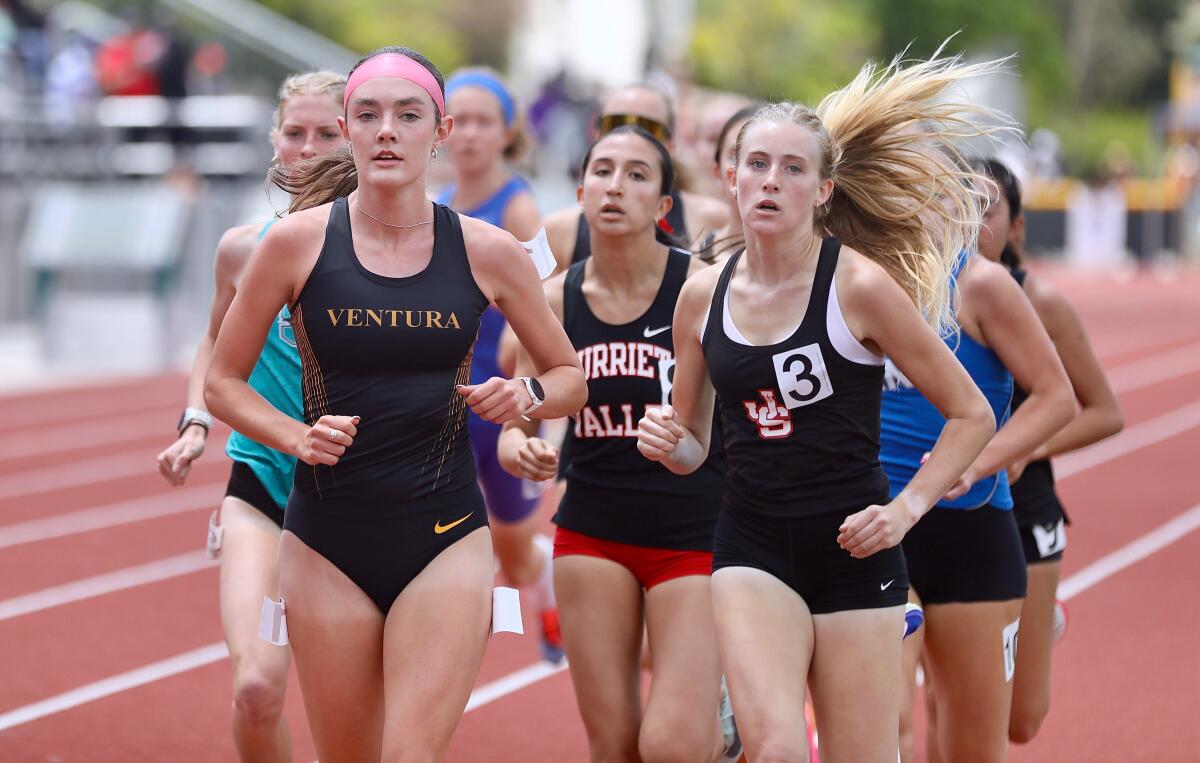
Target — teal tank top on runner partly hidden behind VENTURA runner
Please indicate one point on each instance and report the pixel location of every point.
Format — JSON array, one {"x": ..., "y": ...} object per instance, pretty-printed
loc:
[{"x": 277, "y": 377}]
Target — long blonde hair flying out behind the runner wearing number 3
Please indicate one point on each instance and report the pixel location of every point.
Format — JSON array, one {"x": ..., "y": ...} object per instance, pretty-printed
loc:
[{"x": 904, "y": 195}]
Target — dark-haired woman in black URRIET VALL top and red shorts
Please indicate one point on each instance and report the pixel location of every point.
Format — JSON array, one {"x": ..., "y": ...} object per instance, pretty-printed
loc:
[{"x": 634, "y": 543}]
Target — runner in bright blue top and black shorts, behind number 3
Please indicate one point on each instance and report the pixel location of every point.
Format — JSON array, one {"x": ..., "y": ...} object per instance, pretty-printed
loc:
[{"x": 965, "y": 560}]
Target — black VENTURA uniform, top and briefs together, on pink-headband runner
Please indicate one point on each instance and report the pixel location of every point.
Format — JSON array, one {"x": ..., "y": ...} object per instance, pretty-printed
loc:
[{"x": 392, "y": 350}]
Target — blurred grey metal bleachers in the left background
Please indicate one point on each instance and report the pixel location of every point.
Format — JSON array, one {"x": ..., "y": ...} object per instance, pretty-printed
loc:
[{"x": 111, "y": 209}]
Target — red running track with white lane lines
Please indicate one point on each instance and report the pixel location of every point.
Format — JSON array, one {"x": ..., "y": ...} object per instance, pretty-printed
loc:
[{"x": 111, "y": 648}]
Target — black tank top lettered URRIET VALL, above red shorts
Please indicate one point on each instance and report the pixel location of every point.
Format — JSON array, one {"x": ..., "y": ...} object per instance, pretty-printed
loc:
[{"x": 613, "y": 491}]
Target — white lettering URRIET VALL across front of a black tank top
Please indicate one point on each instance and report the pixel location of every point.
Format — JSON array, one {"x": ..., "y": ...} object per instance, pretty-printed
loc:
[{"x": 637, "y": 361}]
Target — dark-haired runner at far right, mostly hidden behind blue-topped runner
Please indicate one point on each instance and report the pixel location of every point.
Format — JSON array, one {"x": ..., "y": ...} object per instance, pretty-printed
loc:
[{"x": 1036, "y": 507}]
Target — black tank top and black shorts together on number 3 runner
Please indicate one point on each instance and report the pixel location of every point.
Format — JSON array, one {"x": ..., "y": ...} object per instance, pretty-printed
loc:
[{"x": 803, "y": 404}]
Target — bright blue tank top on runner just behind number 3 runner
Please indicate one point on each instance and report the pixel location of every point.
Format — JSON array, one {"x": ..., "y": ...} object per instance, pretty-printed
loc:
[{"x": 911, "y": 425}]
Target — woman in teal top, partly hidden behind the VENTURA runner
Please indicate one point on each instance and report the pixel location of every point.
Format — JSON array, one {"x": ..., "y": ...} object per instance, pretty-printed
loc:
[{"x": 253, "y": 512}]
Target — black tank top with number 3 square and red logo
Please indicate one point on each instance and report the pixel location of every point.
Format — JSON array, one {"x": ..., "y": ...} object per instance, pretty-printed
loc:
[{"x": 801, "y": 423}]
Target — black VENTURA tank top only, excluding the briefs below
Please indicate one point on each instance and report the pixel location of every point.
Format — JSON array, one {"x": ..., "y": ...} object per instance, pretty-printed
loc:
[{"x": 392, "y": 352}]
